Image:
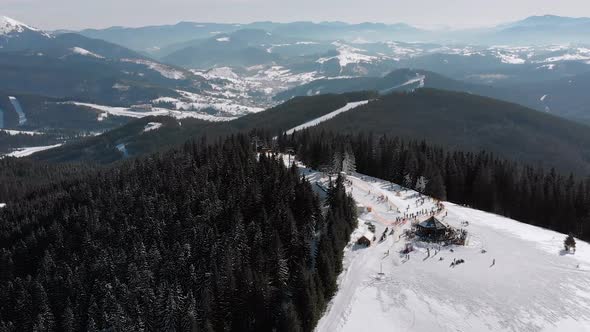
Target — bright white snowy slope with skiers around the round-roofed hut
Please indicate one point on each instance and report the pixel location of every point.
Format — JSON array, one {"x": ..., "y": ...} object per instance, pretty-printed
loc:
[{"x": 533, "y": 285}]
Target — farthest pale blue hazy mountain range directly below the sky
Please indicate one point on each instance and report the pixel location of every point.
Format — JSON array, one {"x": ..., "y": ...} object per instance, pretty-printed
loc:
[{"x": 535, "y": 30}]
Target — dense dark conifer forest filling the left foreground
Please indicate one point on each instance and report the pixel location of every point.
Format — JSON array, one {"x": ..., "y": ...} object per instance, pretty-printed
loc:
[{"x": 202, "y": 238}]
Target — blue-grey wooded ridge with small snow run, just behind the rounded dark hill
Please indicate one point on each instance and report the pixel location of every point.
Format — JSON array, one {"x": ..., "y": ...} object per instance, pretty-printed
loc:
[{"x": 565, "y": 97}]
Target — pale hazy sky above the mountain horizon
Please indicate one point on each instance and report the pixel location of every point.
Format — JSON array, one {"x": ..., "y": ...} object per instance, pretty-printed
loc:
[{"x": 75, "y": 14}]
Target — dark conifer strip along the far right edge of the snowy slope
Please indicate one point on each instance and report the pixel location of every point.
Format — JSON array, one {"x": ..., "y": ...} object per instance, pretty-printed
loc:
[{"x": 532, "y": 195}]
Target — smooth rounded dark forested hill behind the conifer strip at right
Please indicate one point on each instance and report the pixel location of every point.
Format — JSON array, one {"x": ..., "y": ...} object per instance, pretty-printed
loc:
[{"x": 473, "y": 123}]
